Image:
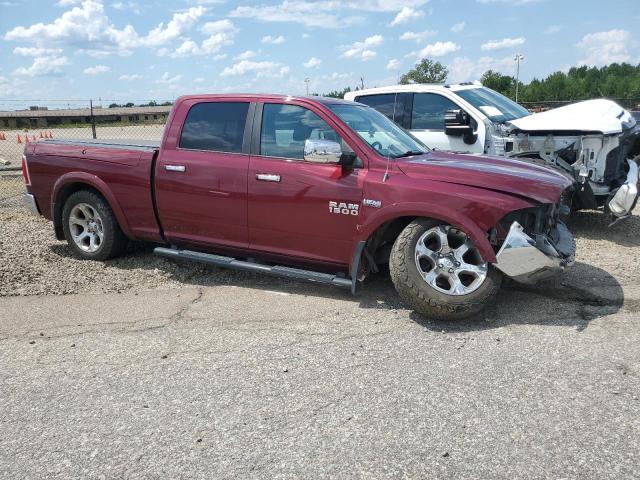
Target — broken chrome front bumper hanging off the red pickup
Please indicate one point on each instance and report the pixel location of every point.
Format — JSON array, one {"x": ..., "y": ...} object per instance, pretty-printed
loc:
[{"x": 526, "y": 260}]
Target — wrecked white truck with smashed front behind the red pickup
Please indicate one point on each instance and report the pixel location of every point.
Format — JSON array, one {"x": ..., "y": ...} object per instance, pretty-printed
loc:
[{"x": 596, "y": 142}]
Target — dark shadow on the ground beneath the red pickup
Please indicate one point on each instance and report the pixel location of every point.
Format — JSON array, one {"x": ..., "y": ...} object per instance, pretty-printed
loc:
[{"x": 582, "y": 294}]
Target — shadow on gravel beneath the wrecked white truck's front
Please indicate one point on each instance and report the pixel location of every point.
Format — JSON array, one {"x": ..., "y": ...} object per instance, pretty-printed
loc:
[{"x": 594, "y": 225}]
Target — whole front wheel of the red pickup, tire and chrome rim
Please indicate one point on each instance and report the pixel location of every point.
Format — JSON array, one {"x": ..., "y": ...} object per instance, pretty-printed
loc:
[{"x": 437, "y": 269}]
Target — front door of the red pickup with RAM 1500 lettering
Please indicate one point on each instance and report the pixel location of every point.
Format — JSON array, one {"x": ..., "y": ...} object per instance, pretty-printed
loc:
[{"x": 289, "y": 199}]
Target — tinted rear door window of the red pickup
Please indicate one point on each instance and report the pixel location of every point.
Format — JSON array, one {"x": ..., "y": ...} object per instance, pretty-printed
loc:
[{"x": 216, "y": 126}]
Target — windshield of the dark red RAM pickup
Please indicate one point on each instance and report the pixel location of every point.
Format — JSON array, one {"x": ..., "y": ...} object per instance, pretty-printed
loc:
[{"x": 380, "y": 133}]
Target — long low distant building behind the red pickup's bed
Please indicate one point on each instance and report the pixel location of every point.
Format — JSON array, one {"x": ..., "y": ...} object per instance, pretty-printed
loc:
[{"x": 40, "y": 117}]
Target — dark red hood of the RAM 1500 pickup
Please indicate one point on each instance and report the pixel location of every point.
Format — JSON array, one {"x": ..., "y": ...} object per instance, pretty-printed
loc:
[{"x": 517, "y": 177}]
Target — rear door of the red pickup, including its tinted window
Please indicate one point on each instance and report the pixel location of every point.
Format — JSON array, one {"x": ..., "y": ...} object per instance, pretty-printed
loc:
[{"x": 201, "y": 184}]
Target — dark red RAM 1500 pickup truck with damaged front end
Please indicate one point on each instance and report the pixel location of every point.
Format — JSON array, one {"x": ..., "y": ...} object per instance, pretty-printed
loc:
[{"x": 311, "y": 188}]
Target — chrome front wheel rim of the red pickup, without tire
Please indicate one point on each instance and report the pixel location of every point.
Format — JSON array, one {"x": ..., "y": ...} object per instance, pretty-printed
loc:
[{"x": 449, "y": 262}]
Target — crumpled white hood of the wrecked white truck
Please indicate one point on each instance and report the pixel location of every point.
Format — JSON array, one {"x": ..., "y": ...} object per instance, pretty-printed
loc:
[{"x": 599, "y": 115}]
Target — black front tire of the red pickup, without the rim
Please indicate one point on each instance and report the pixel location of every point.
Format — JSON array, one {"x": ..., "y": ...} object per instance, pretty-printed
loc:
[{"x": 421, "y": 296}]
